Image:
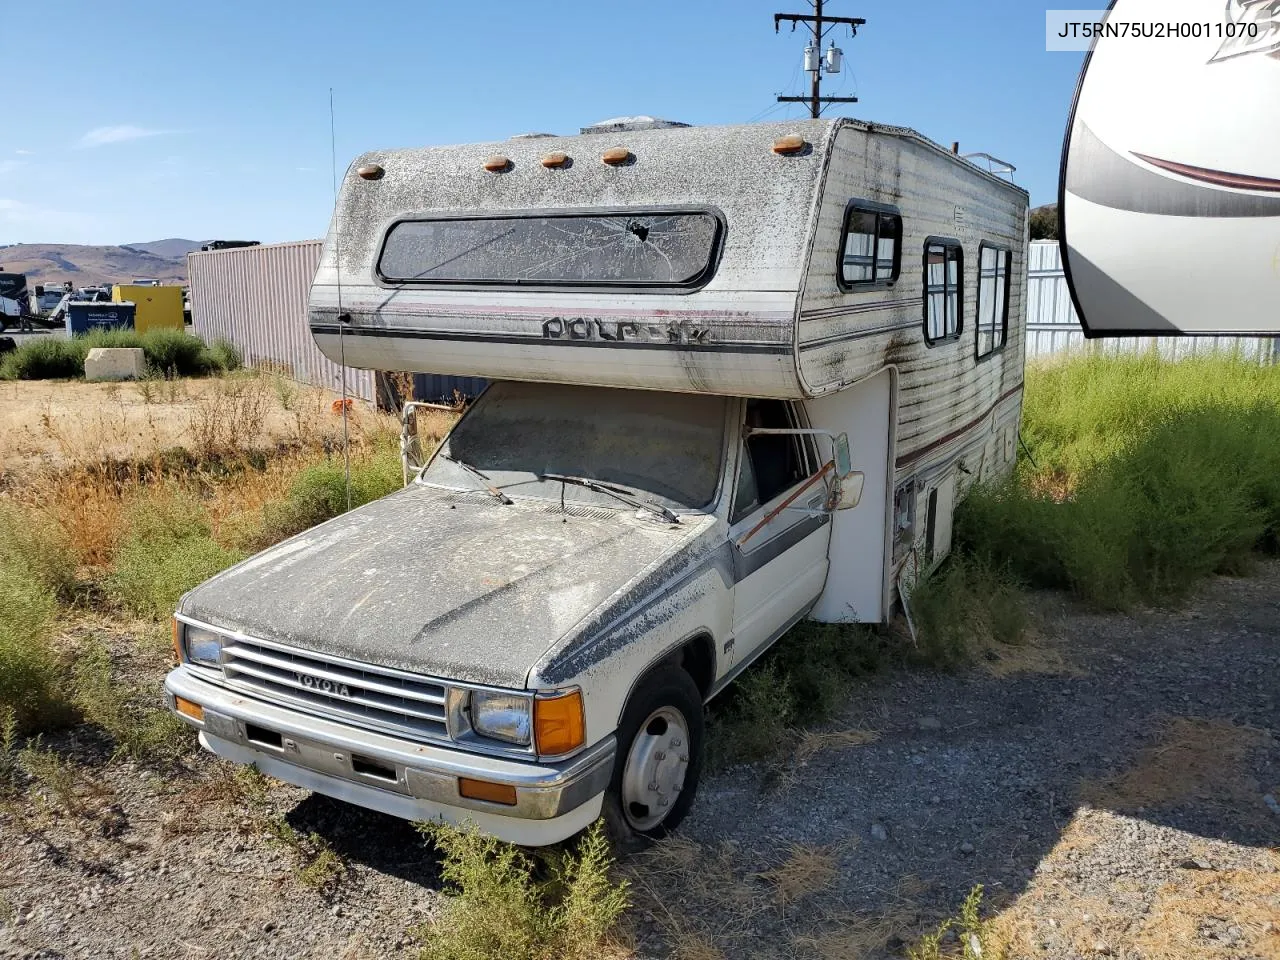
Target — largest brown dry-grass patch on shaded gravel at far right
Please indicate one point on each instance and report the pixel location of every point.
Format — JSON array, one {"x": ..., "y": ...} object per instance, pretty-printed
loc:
[{"x": 1191, "y": 761}]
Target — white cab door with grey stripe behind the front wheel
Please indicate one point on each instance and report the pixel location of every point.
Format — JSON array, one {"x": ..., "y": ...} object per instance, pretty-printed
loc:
[{"x": 779, "y": 528}]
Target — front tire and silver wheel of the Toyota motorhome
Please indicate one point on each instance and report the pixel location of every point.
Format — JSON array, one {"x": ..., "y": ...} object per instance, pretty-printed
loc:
[{"x": 660, "y": 743}]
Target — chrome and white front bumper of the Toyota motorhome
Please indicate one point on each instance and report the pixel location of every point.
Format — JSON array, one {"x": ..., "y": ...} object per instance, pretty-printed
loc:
[{"x": 400, "y": 778}]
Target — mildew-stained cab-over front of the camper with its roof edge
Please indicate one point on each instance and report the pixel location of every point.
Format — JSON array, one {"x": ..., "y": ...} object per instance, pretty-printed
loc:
[{"x": 668, "y": 241}]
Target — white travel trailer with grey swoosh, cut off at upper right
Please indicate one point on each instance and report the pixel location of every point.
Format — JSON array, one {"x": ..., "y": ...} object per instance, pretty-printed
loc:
[{"x": 1171, "y": 188}]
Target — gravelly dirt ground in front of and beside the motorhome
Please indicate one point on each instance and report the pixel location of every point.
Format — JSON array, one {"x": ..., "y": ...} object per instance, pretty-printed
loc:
[{"x": 1118, "y": 799}]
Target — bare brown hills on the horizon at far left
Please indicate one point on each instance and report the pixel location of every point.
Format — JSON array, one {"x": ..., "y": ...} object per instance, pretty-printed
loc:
[{"x": 95, "y": 267}]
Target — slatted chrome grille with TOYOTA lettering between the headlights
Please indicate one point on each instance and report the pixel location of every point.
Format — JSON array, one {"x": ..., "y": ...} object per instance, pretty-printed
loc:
[{"x": 363, "y": 694}]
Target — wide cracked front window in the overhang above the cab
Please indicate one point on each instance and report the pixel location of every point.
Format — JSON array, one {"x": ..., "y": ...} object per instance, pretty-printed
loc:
[{"x": 625, "y": 249}]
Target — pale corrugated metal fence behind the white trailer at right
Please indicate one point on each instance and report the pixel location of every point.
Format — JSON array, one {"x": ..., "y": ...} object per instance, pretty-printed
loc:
[{"x": 1053, "y": 327}]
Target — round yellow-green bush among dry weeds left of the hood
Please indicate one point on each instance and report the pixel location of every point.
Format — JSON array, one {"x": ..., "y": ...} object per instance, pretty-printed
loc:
[{"x": 167, "y": 551}]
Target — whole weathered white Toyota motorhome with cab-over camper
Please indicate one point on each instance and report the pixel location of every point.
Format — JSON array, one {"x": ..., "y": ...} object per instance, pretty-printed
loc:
[{"x": 740, "y": 376}]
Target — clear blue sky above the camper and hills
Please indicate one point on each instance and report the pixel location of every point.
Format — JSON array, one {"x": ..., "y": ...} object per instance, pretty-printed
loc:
[{"x": 143, "y": 121}]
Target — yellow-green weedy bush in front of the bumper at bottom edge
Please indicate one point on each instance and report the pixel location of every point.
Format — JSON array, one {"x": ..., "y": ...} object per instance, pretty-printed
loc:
[{"x": 501, "y": 908}]
